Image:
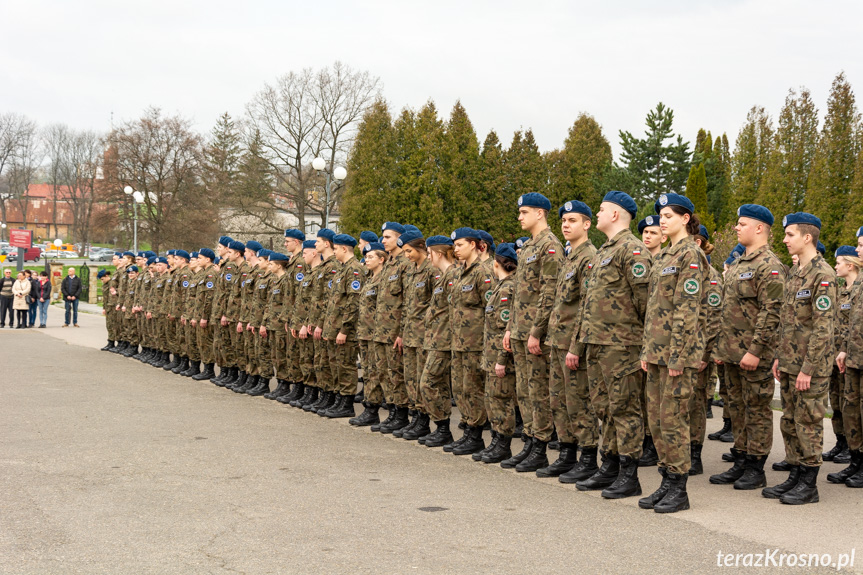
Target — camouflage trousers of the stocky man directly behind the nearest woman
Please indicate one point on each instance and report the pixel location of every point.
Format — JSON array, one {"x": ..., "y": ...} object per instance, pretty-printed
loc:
[{"x": 616, "y": 382}]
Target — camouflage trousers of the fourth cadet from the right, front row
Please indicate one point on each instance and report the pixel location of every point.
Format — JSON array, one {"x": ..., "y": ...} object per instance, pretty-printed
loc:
[{"x": 534, "y": 379}]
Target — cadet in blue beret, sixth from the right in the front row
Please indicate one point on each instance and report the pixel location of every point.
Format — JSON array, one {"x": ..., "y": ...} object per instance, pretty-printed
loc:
[{"x": 467, "y": 304}]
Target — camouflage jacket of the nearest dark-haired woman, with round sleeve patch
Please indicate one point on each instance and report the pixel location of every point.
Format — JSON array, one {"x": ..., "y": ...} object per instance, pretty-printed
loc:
[{"x": 676, "y": 319}]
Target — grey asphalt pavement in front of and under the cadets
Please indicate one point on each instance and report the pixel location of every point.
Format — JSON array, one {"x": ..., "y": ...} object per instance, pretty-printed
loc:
[{"x": 111, "y": 466}]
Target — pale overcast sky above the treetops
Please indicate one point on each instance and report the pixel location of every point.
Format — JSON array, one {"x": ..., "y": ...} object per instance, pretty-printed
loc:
[{"x": 513, "y": 65}]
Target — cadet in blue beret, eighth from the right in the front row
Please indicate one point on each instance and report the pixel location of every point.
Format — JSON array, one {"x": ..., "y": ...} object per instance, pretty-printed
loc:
[{"x": 418, "y": 280}]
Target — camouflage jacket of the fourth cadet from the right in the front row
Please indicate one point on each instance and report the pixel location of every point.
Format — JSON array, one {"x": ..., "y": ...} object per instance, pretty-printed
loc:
[{"x": 535, "y": 282}]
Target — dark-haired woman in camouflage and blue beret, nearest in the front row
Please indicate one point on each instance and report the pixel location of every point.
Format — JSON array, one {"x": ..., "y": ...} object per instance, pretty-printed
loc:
[{"x": 674, "y": 332}]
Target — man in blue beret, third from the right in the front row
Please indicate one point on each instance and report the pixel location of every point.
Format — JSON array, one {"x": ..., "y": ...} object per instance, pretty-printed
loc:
[{"x": 569, "y": 392}]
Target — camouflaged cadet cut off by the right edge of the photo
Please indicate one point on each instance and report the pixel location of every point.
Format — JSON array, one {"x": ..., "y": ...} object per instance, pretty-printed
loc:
[{"x": 850, "y": 360}]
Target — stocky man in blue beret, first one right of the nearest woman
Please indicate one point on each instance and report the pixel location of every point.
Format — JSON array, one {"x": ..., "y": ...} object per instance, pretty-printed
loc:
[{"x": 746, "y": 346}]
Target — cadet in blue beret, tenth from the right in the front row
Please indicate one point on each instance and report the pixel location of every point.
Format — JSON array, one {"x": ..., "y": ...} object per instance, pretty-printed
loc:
[{"x": 374, "y": 256}]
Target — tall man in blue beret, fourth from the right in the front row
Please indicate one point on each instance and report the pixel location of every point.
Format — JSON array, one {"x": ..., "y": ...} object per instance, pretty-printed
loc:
[{"x": 533, "y": 298}]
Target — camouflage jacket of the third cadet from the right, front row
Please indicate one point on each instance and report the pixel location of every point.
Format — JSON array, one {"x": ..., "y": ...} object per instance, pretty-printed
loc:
[{"x": 566, "y": 312}]
